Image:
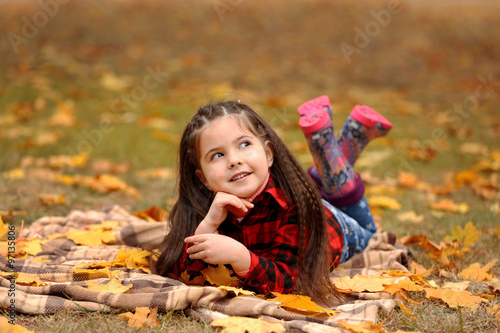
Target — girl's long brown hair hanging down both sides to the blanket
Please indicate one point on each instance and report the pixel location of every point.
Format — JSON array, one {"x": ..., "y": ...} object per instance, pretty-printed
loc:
[{"x": 193, "y": 202}]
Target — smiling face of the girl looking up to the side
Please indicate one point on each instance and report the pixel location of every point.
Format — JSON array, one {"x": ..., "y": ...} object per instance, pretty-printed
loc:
[{"x": 232, "y": 159}]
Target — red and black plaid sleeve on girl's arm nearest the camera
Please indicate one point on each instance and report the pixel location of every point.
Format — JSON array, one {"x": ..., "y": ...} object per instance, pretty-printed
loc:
[{"x": 274, "y": 268}]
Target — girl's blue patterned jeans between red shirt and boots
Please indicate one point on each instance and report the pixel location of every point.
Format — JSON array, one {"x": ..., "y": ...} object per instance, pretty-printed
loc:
[{"x": 356, "y": 222}]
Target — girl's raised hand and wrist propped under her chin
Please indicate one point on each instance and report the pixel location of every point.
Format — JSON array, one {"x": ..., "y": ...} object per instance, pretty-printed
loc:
[{"x": 223, "y": 202}]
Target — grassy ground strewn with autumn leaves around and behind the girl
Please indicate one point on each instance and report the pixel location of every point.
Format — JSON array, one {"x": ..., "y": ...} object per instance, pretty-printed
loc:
[{"x": 431, "y": 69}]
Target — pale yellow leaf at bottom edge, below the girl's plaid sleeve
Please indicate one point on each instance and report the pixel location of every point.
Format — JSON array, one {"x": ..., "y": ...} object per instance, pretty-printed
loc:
[{"x": 251, "y": 325}]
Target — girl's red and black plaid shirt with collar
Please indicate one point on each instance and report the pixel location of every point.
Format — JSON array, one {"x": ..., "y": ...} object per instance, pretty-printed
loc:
[{"x": 270, "y": 231}]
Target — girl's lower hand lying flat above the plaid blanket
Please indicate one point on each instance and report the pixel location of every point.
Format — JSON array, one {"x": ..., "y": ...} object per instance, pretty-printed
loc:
[{"x": 219, "y": 249}]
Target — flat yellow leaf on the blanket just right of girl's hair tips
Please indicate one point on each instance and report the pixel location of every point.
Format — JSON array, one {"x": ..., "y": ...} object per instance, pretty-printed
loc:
[{"x": 360, "y": 283}]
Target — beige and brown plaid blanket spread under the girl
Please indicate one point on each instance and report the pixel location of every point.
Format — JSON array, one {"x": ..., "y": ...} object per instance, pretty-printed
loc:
[{"x": 65, "y": 287}]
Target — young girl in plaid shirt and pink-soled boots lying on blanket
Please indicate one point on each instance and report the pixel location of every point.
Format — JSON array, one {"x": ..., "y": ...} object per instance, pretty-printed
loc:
[{"x": 245, "y": 201}]
